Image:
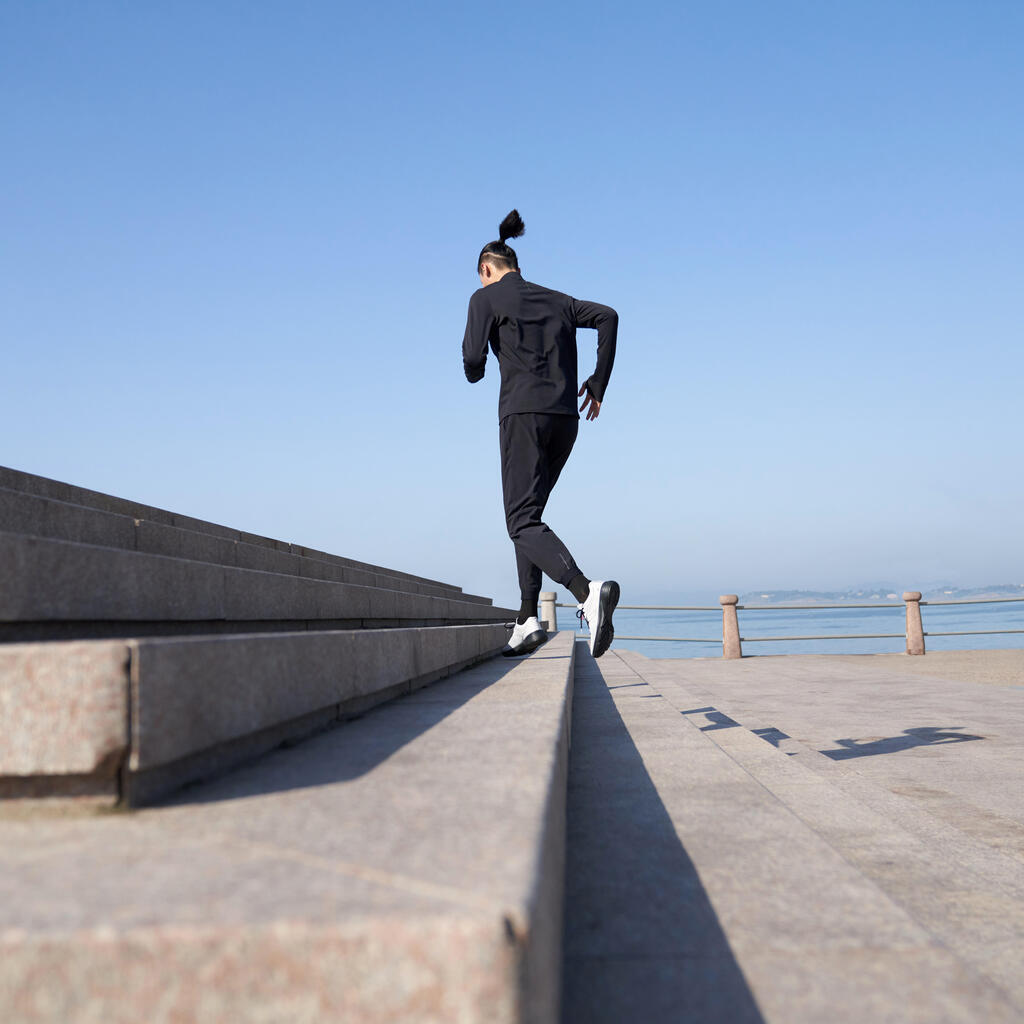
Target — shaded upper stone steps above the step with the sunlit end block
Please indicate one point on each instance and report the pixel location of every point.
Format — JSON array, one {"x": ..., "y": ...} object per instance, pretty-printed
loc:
[{"x": 80, "y": 565}]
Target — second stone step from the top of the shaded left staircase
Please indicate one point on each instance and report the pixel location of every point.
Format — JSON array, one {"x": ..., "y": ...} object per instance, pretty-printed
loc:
[{"x": 23, "y": 513}]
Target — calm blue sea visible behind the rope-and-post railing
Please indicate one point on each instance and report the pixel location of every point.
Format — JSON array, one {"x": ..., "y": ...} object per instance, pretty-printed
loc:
[{"x": 706, "y": 629}]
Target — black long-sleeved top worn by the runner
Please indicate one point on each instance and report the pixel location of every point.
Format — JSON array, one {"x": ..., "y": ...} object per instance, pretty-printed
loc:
[{"x": 532, "y": 330}]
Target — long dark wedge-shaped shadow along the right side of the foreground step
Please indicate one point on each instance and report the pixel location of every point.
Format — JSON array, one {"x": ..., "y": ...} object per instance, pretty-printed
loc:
[{"x": 643, "y": 943}]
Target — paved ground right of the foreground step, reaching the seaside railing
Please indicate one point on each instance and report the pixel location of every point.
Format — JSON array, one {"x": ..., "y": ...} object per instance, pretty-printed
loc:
[{"x": 797, "y": 839}]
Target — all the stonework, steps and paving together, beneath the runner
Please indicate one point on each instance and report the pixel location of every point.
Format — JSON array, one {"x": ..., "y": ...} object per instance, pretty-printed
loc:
[{"x": 245, "y": 781}]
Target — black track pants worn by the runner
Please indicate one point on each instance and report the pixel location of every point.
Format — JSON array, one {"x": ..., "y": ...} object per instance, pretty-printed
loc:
[{"x": 535, "y": 447}]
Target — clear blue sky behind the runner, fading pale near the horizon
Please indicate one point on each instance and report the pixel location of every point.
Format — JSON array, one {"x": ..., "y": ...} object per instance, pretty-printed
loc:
[{"x": 238, "y": 242}]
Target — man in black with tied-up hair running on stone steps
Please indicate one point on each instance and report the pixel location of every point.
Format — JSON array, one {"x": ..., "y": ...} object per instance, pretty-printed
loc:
[{"x": 532, "y": 331}]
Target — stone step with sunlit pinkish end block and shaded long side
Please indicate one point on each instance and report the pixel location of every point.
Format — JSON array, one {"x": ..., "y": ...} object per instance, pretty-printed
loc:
[{"x": 125, "y": 721}]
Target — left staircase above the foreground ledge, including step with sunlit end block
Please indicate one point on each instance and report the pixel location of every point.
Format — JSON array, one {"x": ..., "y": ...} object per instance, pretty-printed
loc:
[{"x": 142, "y": 650}]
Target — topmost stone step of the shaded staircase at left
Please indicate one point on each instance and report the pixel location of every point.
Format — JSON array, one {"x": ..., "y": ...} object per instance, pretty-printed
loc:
[{"x": 41, "y": 487}]
